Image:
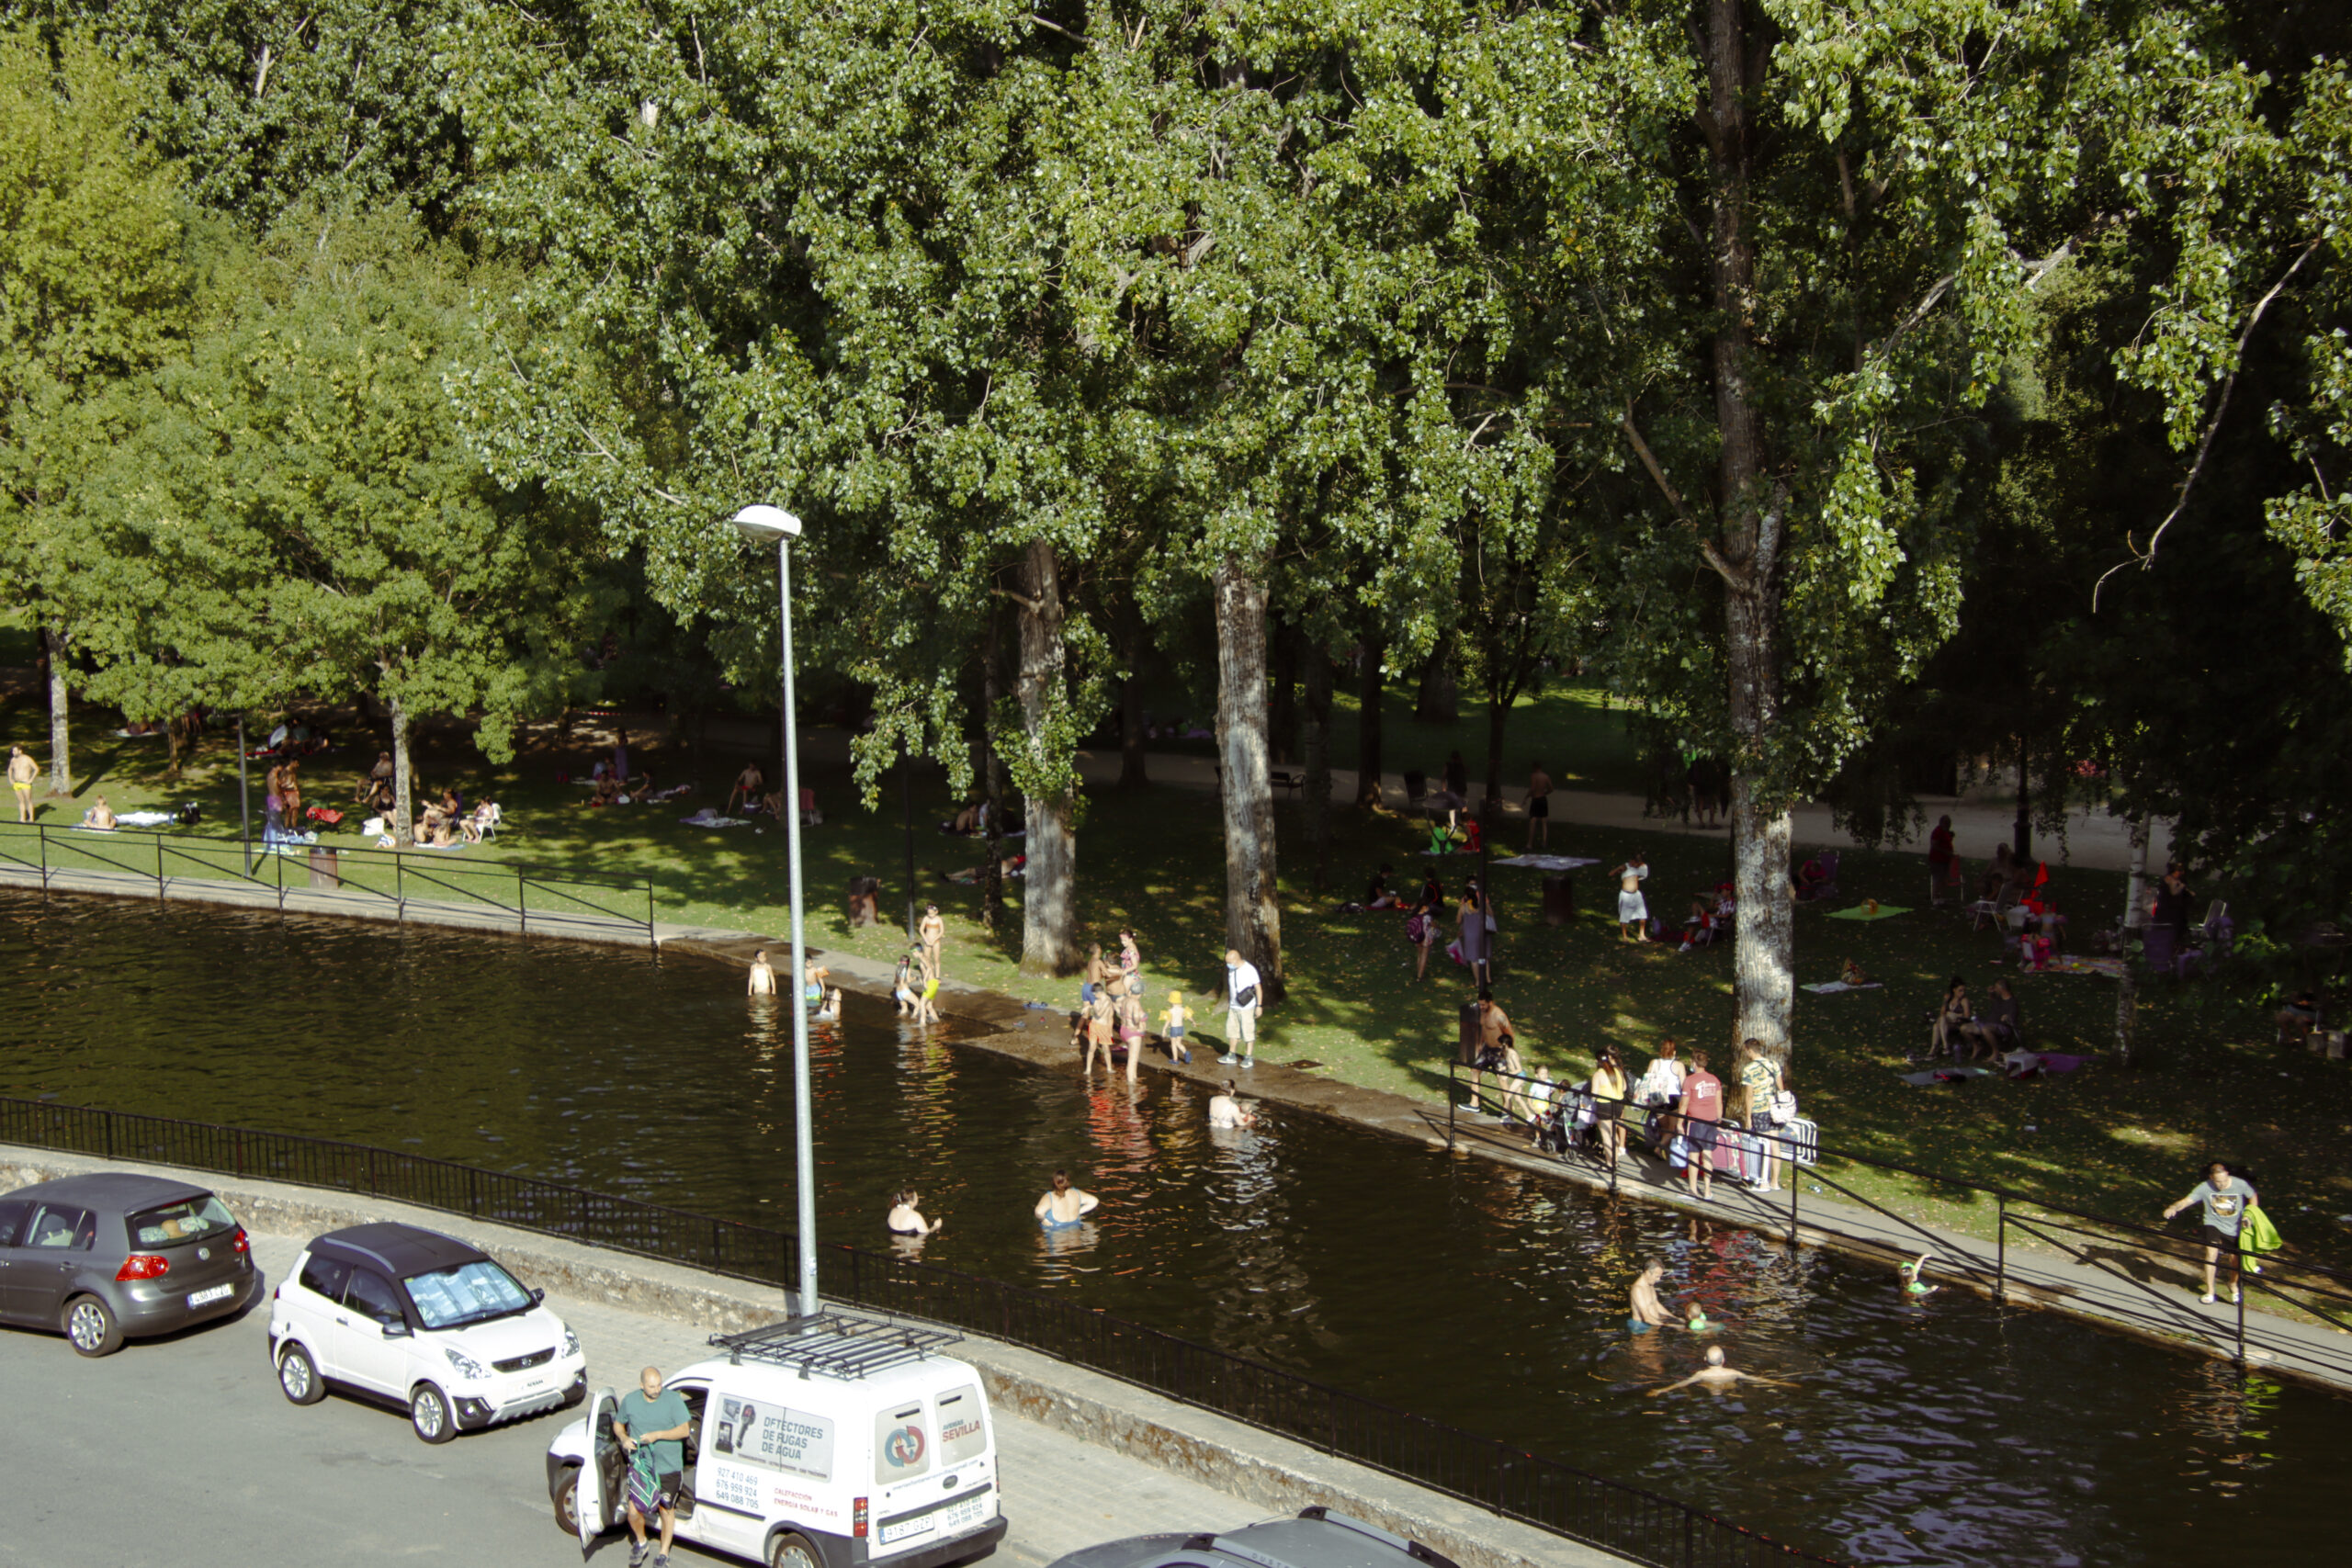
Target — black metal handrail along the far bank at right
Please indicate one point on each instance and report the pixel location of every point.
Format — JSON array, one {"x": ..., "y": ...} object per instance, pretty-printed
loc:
[{"x": 2290, "y": 1275}]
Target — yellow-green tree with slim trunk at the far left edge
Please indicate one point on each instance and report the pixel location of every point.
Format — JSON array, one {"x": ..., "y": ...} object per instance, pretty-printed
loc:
[{"x": 93, "y": 290}]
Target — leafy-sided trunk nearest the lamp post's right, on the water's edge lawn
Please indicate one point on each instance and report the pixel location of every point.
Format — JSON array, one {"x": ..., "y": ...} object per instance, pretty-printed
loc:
[{"x": 1050, "y": 880}]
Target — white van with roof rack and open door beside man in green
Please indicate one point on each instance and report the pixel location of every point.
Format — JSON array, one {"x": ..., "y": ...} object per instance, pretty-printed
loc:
[{"x": 827, "y": 1442}]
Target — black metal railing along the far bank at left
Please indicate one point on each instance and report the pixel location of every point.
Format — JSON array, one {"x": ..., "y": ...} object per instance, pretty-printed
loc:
[{"x": 382, "y": 880}]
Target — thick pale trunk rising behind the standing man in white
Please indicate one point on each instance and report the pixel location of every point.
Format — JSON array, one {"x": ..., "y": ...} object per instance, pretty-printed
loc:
[{"x": 1252, "y": 902}]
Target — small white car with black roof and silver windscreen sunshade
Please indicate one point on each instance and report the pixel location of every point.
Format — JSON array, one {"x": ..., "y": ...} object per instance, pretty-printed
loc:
[{"x": 425, "y": 1322}]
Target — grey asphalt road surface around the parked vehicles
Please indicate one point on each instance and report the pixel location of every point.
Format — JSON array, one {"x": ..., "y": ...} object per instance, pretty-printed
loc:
[{"x": 185, "y": 1454}]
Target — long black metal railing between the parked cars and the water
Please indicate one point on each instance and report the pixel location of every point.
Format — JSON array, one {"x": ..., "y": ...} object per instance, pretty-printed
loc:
[{"x": 1488, "y": 1473}]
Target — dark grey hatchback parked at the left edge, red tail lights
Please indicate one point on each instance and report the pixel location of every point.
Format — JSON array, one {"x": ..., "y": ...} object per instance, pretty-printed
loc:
[{"x": 116, "y": 1257}]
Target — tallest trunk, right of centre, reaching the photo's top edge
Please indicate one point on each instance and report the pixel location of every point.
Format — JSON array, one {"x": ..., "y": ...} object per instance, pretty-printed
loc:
[{"x": 1763, "y": 960}]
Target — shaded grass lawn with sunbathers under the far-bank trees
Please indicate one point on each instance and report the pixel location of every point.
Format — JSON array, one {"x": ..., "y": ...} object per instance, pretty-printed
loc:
[{"x": 2205, "y": 1083}]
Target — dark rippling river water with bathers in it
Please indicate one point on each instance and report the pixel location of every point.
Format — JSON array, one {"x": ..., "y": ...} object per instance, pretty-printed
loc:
[{"x": 1490, "y": 1299}]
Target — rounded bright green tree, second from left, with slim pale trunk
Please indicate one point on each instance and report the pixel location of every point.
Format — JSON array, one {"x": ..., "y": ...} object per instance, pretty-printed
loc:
[{"x": 309, "y": 516}]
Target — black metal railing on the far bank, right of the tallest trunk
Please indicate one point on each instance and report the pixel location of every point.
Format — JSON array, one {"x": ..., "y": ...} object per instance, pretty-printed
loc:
[{"x": 2118, "y": 1249}]
